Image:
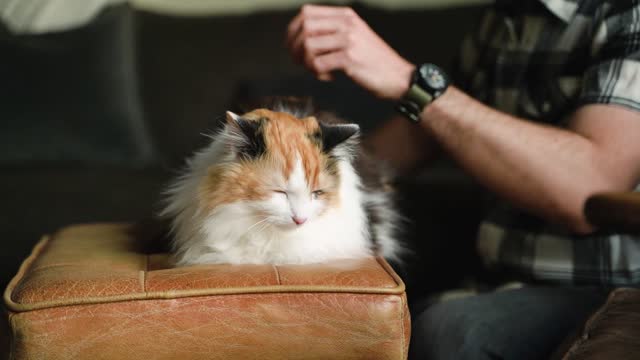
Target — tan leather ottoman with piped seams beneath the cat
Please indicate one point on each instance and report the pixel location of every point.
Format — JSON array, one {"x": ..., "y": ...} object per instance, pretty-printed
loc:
[{"x": 87, "y": 293}]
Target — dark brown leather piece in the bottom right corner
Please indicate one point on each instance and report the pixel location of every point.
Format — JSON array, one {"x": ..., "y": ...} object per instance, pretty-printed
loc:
[{"x": 613, "y": 332}]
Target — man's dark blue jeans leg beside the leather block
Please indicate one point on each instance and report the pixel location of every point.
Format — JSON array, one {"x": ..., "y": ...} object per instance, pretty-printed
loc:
[{"x": 526, "y": 323}]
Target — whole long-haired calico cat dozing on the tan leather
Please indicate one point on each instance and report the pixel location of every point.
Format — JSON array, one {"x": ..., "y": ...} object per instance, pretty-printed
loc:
[{"x": 281, "y": 186}]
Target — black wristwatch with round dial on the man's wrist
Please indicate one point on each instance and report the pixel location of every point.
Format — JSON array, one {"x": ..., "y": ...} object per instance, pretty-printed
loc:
[{"x": 428, "y": 82}]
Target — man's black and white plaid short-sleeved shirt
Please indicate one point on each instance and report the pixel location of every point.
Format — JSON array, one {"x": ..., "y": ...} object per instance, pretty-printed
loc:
[{"x": 541, "y": 59}]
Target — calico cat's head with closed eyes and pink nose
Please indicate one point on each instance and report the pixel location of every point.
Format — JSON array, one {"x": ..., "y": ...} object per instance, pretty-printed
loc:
[{"x": 282, "y": 170}]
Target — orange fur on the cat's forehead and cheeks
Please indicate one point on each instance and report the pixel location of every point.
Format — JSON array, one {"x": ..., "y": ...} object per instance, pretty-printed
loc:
[{"x": 286, "y": 138}]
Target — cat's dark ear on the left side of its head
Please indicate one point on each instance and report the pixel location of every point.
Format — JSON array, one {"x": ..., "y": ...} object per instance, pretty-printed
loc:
[{"x": 247, "y": 138}]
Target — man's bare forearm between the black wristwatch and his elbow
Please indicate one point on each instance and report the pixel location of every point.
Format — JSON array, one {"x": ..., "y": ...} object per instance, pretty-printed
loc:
[{"x": 548, "y": 170}]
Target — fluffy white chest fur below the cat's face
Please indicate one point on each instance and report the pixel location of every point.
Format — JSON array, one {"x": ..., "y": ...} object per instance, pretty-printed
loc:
[{"x": 232, "y": 235}]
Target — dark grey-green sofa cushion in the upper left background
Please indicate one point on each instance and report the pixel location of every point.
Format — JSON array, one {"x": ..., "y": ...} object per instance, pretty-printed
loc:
[{"x": 73, "y": 95}]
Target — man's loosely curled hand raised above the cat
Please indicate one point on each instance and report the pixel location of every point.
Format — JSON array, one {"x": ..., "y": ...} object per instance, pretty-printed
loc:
[{"x": 328, "y": 38}]
